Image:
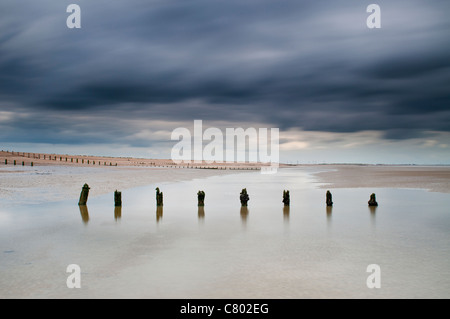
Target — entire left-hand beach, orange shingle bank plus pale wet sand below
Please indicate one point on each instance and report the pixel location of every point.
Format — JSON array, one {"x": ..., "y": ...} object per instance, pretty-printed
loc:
[{"x": 54, "y": 177}]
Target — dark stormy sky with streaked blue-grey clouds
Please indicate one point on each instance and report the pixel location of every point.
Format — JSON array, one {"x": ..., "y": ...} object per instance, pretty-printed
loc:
[{"x": 137, "y": 69}]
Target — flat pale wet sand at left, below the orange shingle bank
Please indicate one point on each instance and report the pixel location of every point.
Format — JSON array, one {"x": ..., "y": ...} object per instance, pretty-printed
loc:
[{"x": 35, "y": 185}]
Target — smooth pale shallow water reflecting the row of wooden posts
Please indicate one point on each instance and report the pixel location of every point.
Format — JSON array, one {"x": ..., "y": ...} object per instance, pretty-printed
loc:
[{"x": 223, "y": 251}]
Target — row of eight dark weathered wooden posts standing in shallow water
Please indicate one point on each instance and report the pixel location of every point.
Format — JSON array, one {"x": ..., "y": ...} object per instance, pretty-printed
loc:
[{"x": 243, "y": 197}]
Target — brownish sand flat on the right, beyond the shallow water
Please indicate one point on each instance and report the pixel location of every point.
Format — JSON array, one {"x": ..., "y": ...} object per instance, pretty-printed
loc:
[{"x": 431, "y": 178}]
